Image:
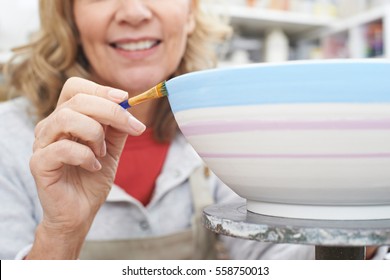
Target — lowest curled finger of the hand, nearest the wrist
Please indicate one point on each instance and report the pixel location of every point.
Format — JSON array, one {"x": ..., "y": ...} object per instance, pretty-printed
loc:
[{"x": 64, "y": 152}]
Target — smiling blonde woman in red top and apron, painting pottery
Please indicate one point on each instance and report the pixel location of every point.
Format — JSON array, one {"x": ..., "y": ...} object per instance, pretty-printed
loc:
[{"x": 111, "y": 183}]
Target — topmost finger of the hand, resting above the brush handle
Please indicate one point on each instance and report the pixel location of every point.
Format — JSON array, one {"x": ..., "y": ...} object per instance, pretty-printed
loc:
[{"x": 76, "y": 85}]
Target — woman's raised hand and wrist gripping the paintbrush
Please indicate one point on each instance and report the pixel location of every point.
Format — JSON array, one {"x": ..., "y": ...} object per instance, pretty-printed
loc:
[{"x": 76, "y": 153}]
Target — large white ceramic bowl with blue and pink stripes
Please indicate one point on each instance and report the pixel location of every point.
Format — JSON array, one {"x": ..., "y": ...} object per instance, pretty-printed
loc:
[{"x": 307, "y": 139}]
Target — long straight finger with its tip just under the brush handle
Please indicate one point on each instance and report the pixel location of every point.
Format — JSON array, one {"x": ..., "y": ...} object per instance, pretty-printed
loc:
[{"x": 105, "y": 112}]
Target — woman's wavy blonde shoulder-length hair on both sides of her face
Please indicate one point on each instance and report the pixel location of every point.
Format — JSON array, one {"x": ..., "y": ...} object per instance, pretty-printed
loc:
[{"x": 39, "y": 69}]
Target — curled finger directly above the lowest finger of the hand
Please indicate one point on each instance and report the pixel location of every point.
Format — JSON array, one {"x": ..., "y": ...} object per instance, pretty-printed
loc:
[{"x": 66, "y": 123}]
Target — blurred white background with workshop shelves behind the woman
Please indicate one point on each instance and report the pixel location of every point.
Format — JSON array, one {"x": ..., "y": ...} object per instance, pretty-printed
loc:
[{"x": 264, "y": 30}]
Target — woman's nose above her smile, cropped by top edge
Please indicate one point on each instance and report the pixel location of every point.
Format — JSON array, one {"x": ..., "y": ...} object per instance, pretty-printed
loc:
[{"x": 133, "y": 12}]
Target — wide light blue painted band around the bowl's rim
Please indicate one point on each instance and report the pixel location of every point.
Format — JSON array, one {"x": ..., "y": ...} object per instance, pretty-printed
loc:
[{"x": 338, "y": 81}]
